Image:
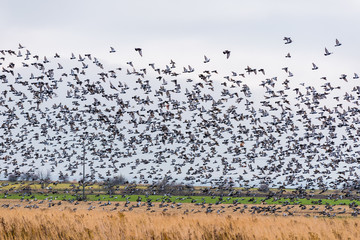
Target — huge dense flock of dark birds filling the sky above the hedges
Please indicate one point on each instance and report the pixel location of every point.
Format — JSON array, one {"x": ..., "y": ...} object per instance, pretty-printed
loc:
[{"x": 154, "y": 122}]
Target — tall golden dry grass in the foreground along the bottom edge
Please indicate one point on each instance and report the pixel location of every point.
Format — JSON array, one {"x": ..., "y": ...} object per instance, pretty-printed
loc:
[{"x": 55, "y": 224}]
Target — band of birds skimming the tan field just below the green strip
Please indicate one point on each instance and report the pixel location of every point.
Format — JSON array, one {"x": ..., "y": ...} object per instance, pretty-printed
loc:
[{"x": 164, "y": 205}]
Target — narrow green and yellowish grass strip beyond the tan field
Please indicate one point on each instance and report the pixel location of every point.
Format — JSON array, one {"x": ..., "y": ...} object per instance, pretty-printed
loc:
[{"x": 99, "y": 192}]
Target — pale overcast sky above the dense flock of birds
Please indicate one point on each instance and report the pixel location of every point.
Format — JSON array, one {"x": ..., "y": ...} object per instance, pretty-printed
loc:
[{"x": 187, "y": 30}]
